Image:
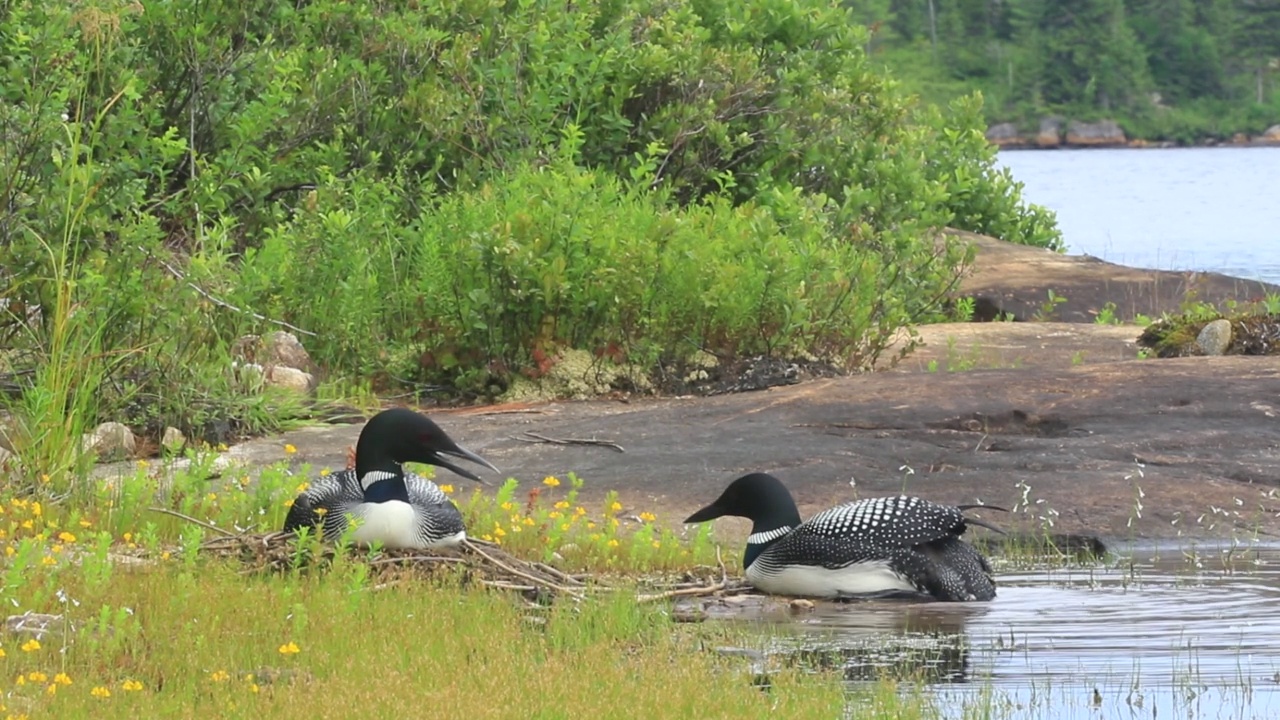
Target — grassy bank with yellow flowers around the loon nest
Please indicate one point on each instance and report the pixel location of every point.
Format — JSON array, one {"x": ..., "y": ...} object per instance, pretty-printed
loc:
[{"x": 145, "y": 625}]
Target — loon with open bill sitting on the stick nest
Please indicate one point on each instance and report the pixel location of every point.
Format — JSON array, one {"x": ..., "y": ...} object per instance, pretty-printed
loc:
[{"x": 394, "y": 508}]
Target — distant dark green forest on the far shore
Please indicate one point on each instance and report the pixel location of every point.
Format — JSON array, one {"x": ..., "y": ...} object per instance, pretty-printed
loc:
[{"x": 1168, "y": 70}]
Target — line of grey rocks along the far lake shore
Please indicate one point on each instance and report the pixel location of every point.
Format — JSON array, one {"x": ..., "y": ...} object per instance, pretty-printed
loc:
[{"x": 1059, "y": 133}]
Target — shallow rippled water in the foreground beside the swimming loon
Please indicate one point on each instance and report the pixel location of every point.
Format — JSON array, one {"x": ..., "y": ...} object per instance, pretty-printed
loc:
[{"x": 1169, "y": 636}]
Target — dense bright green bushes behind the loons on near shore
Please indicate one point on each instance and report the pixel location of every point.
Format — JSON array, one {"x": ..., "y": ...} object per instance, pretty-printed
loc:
[{"x": 447, "y": 190}]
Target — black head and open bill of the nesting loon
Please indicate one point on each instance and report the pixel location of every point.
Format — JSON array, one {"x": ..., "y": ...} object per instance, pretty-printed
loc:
[{"x": 399, "y": 436}]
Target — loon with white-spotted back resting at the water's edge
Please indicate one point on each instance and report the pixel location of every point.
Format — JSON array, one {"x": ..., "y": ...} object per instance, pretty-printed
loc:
[{"x": 884, "y": 546}]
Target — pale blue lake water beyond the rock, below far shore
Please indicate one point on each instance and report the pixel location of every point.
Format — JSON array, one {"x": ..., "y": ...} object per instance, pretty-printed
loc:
[{"x": 1178, "y": 209}]
